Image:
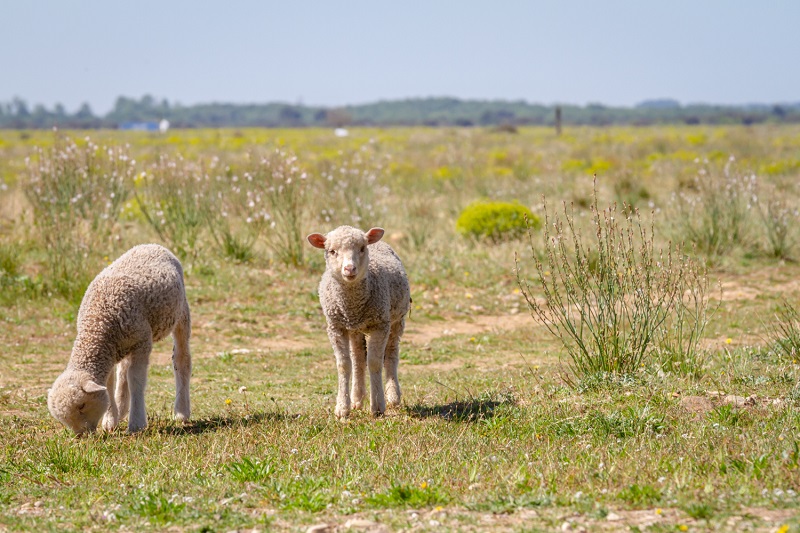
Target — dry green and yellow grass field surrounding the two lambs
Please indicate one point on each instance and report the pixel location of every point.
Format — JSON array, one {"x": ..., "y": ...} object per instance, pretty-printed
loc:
[{"x": 499, "y": 430}]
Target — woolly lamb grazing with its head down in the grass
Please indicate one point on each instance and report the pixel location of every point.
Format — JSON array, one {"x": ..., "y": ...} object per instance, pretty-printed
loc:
[{"x": 135, "y": 301}]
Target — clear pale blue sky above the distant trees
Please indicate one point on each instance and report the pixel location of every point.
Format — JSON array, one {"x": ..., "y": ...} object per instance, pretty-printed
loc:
[{"x": 615, "y": 52}]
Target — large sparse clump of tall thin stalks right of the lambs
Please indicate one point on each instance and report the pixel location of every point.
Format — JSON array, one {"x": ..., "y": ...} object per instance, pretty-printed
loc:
[{"x": 606, "y": 300}]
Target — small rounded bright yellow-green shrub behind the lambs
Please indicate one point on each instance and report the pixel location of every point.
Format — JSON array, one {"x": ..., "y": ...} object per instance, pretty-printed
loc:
[{"x": 496, "y": 221}]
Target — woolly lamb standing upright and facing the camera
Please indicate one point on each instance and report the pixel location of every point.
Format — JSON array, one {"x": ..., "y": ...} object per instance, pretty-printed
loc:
[{"x": 365, "y": 297}]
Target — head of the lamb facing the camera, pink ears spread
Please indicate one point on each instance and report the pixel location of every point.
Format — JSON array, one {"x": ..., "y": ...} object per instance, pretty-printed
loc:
[{"x": 346, "y": 252}]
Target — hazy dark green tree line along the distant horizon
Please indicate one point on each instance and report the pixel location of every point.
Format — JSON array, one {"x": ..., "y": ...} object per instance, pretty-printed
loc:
[{"x": 410, "y": 112}]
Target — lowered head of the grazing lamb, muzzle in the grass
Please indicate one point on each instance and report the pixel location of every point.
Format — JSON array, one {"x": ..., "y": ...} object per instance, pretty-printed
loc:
[{"x": 77, "y": 401}]
